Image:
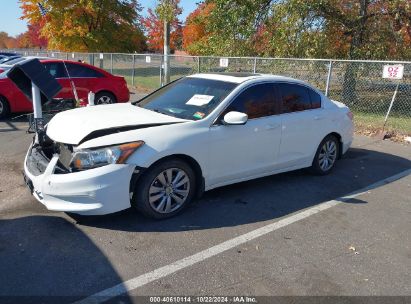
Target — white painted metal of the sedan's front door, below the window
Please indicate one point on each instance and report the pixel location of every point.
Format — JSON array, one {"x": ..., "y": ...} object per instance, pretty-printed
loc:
[{"x": 263, "y": 132}]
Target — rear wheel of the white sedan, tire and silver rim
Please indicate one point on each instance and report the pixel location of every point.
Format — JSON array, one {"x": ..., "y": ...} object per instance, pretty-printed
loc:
[{"x": 326, "y": 156}]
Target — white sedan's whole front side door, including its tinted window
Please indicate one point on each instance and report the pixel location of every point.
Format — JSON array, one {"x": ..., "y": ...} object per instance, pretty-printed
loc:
[{"x": 242, "y": 151}]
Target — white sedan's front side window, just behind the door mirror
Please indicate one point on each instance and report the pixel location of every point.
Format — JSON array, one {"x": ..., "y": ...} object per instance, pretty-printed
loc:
[{"x": 257, "y": 101}]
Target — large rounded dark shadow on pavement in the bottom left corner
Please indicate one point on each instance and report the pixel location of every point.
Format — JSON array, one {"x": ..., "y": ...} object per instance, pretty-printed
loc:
[{"x": 46, "y": 259}]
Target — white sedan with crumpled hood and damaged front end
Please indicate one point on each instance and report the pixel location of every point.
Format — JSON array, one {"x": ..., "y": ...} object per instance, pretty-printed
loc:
[{"x": 195, "y": 134}]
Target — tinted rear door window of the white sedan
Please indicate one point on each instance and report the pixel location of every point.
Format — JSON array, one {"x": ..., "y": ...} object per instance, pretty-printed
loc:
[{"x": 294, "y": 97}]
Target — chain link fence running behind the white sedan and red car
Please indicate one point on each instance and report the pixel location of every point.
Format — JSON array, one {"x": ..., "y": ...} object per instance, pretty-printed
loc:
[{"x": 358, "y": 84}]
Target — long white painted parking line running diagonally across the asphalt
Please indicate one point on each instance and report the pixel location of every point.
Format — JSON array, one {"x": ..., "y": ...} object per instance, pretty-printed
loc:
[{"x": 161, "y": 272}]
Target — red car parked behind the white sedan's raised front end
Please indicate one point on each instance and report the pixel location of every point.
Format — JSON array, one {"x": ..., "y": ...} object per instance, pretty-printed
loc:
[{"x": 107, "y": 87}]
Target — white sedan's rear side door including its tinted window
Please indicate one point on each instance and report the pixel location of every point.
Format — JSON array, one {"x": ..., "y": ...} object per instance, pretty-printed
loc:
[{"x": 302, "y": 123}]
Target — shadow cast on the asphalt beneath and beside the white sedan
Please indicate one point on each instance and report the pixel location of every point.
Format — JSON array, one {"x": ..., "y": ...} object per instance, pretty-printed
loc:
[{"x": 266, "y": 198}]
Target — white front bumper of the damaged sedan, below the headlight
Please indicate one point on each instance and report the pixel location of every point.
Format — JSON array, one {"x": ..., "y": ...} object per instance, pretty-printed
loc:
[{"x": 96, "y": 191}]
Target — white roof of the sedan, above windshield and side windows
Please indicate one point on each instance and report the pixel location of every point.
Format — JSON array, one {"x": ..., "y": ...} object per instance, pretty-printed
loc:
[{"x": 241, "y": 77}]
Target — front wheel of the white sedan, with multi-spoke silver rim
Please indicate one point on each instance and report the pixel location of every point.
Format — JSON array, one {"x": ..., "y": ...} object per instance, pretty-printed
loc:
[{"x": 165, "y": 189}]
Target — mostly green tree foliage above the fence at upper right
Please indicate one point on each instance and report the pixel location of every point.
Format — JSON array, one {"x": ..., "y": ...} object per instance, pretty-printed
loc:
[{"x": 349, "y": 29}]
